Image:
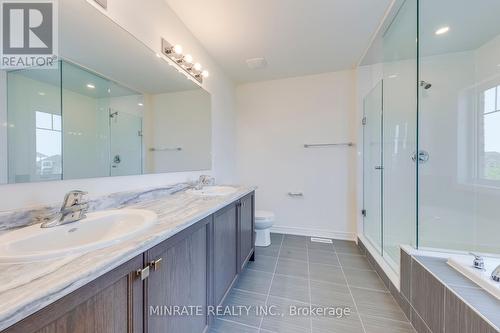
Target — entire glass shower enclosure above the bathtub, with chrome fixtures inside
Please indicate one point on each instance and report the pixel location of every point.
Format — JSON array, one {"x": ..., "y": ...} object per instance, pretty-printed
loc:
[{"x": 430, "y": 94}]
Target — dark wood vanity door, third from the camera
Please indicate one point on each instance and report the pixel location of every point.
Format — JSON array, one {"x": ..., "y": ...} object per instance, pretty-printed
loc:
[{"x": 225, "y": 250}]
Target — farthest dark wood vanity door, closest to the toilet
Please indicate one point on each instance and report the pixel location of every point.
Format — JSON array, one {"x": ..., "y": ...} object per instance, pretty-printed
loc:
[{"x": 246, "y": 234}]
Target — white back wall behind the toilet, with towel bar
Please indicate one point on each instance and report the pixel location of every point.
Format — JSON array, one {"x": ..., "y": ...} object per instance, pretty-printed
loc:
[{"x": 275, "y": 119}]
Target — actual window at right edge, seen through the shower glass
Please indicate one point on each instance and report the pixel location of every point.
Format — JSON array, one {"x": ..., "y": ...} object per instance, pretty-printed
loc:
[{"x": 489, "y": 168}]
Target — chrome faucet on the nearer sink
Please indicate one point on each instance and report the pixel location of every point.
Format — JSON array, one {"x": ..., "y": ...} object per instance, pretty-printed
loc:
[{"x": 72, "y": 210}]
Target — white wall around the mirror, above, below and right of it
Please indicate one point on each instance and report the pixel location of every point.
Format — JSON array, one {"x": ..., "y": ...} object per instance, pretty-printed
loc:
[{"x": 149, "y": 21}]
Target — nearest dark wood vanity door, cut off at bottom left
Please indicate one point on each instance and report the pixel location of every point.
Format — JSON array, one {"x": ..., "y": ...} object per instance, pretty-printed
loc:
[{"x": 112, "y": 303}]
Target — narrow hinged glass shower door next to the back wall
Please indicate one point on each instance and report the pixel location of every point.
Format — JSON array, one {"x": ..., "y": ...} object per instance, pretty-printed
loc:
[{"x": 373, "y": 166}]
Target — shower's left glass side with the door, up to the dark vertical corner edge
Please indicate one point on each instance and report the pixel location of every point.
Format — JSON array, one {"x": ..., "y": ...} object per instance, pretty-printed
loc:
[{"x": 389, "y": 72}]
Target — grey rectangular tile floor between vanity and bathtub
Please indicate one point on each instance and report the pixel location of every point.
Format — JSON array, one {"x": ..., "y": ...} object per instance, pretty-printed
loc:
[{"x": 293, "y": 271}]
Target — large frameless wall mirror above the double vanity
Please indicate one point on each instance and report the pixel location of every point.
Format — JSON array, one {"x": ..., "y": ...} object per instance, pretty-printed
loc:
[{"x": 110, "y": 108}]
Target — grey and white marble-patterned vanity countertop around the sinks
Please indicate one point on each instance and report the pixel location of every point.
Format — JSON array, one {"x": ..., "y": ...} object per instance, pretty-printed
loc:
[{"x": 28, "y": 287}]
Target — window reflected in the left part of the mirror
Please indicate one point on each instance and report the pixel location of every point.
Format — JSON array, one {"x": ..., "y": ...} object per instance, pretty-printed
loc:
[{"x": 48, "y": 145}]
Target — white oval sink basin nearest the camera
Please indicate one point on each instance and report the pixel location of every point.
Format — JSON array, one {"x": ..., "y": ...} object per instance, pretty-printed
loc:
[{"x": 98, "y": 230}]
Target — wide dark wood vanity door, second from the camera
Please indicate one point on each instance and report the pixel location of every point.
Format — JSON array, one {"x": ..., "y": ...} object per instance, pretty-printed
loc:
[{"x": 180, "y": 281}]
